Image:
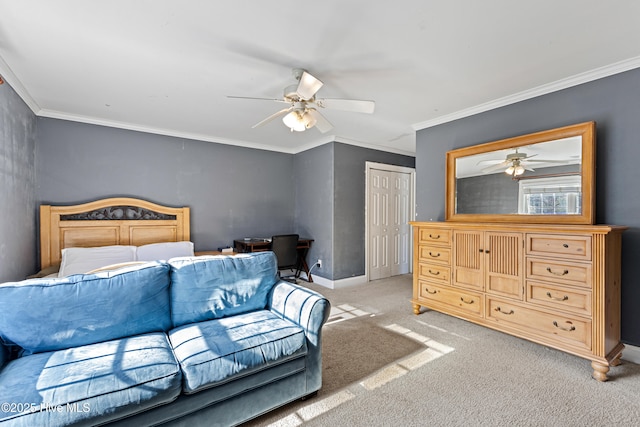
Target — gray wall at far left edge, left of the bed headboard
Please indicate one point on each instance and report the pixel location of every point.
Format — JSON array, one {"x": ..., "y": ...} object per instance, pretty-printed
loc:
[{"x": 17, "y": 186}]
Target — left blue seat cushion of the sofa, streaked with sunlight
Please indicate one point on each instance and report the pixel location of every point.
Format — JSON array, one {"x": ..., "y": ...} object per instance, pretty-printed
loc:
[{"x": 99, "y": 382}]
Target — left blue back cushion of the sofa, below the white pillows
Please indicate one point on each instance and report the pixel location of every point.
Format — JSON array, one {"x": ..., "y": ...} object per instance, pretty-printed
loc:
[{"x": 52, "y": 314}]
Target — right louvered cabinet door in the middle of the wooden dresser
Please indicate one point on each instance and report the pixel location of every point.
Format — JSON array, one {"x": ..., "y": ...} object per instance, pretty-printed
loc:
[{"x": 504, "y": 260}]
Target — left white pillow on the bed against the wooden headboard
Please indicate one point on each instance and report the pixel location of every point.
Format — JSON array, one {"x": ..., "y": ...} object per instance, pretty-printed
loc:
[{"x": 83, "y": 260}]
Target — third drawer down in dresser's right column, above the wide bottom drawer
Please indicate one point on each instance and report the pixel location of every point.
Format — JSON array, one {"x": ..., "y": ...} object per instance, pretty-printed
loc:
[{"x": 560, "y": 297}]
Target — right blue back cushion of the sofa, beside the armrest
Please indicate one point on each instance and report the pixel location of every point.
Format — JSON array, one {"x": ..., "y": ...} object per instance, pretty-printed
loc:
[{"x": 211, "y": 287}]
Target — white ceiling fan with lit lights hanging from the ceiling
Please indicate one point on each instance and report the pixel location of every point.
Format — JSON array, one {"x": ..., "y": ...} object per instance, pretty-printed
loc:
[{"x": 302, "y": 112}]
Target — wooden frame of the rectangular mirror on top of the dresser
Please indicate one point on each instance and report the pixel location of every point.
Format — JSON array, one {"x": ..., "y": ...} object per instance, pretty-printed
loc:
[{"x": 587, "y": 215}]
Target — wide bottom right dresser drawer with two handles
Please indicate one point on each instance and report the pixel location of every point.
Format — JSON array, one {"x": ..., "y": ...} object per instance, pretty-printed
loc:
[{"x": 555, "y": 328}]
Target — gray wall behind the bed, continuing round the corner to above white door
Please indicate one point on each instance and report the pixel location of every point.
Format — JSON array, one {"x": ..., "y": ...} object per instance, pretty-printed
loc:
[{"x": 233, "y": 192}]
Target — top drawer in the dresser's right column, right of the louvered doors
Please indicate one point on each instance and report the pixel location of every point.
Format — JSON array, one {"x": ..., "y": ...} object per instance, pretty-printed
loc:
[{"x": 559, "y": 246}]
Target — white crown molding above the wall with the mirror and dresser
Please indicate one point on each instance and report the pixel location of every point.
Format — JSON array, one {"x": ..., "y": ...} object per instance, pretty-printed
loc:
[{"x": 588, "y": 76}]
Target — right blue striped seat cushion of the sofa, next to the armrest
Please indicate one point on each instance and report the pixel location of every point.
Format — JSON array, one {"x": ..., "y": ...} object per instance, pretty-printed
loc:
[{"x": 220, "y": 350}]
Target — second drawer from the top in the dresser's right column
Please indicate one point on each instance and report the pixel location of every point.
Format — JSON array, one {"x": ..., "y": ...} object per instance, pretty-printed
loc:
[{"x": 559, "y": 272}]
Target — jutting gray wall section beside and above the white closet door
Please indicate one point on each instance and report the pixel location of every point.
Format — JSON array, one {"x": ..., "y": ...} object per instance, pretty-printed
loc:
[{"x": 330, "y": 204}]
